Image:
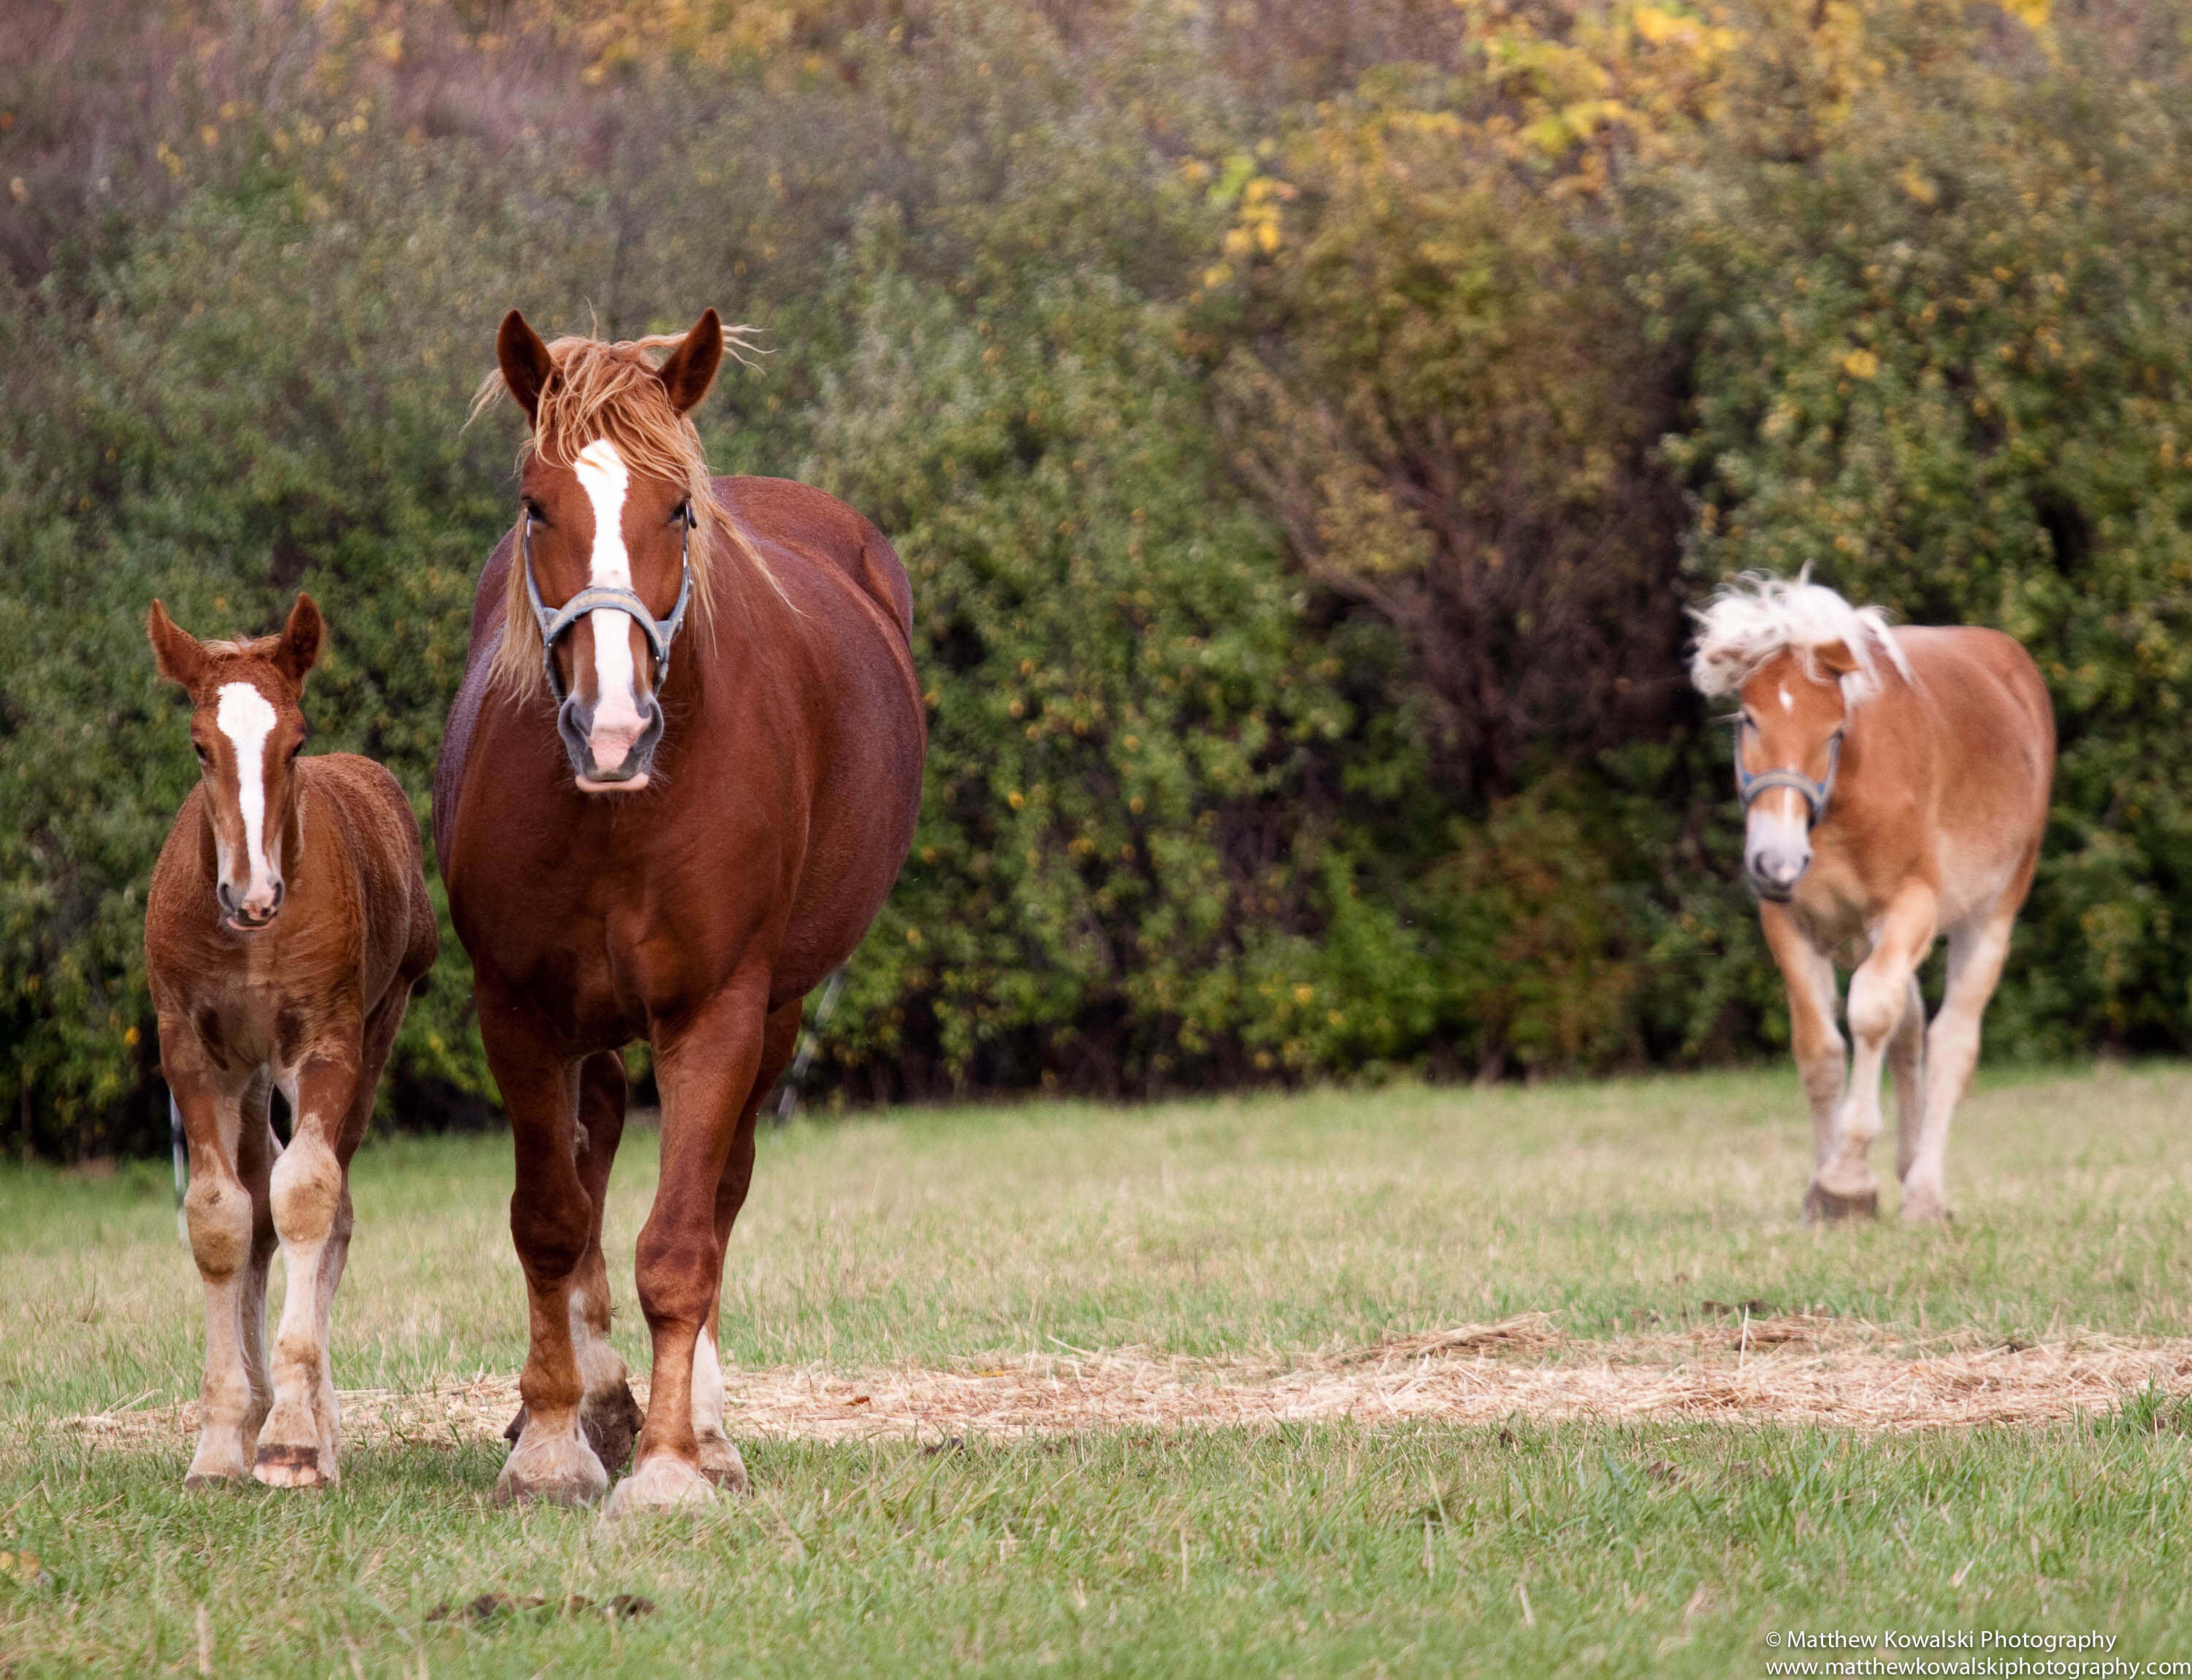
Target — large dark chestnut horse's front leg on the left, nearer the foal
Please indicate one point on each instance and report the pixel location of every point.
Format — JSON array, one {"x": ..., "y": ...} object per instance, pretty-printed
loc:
[{"x": 551, "y": 1221}]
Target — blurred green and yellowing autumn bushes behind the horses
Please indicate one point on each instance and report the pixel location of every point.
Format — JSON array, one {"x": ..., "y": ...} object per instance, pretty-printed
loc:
[{"x": 1305, "y": 427}]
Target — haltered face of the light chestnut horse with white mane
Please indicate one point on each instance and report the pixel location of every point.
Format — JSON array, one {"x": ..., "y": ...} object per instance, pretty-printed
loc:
[{"x": 1788, "y": 751}]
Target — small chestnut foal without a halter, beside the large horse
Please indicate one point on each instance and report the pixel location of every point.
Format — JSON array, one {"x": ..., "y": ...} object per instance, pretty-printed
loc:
[{"x": 286, "y": 929}]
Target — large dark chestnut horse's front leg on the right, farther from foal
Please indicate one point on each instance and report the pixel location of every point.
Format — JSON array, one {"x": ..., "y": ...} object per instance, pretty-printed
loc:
[{"x": 707, "y": 1074}]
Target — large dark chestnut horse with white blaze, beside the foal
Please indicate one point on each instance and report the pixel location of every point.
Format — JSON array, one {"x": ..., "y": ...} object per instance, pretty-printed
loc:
[{"x": 678, "y": 784}]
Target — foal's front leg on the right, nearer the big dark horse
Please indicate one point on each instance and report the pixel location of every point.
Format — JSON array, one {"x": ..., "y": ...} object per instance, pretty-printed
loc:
[{"x": 310, "y": 1192}]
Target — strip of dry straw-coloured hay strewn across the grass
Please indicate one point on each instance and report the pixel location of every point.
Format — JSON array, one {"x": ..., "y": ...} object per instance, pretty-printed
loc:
[{"x": 1783, "y": 1370}]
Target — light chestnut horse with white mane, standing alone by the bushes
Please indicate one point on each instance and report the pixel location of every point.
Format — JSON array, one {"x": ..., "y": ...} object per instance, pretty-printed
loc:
[{"x": 1895, "y": 788}]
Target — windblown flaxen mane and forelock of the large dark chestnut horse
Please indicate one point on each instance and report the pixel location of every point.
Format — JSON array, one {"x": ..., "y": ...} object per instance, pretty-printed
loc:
[{"x": 610, "y": 391}]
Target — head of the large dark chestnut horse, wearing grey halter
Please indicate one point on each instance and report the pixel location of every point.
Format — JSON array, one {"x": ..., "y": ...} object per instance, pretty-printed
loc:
[{"x": 606, "y": 543}]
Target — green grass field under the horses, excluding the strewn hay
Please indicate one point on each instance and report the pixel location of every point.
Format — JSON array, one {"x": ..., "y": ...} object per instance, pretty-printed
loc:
[{"x": 1268, "y": 1227}]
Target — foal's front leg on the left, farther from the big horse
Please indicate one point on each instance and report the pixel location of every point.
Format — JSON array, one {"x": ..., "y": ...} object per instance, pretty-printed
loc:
[{"x": 218, "y": 1212}]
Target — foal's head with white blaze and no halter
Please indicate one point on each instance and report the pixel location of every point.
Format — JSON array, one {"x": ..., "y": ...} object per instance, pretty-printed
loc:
[{"x": 247, "y": 727}]
